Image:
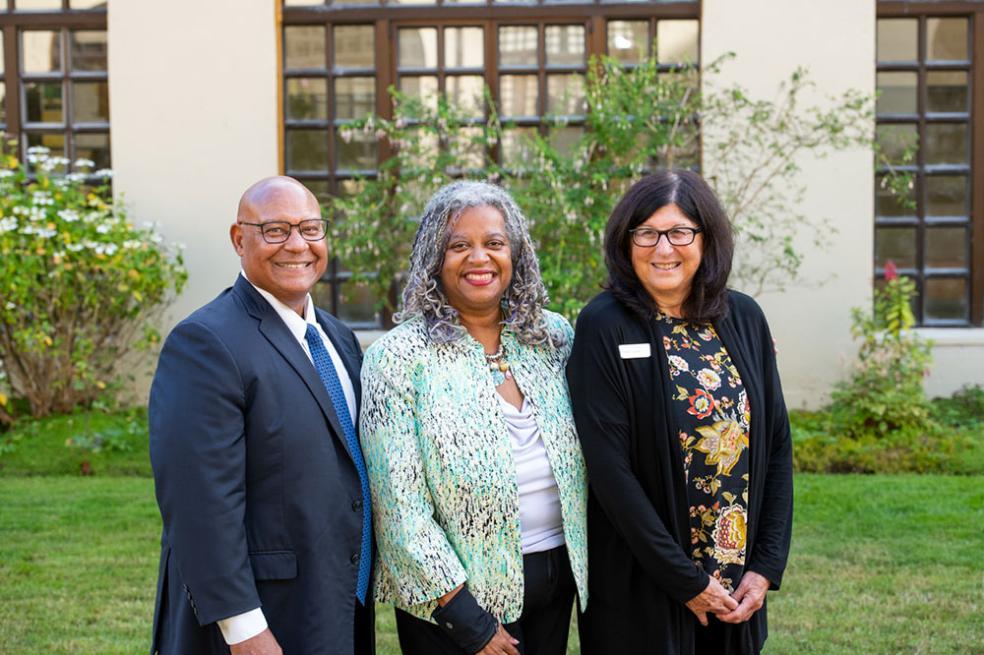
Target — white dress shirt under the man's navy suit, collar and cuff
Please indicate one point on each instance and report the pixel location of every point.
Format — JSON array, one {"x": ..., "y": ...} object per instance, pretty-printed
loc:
[{"x": 249, "y": 624}]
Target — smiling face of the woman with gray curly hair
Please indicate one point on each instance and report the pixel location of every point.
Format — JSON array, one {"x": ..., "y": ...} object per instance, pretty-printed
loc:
[{"x": 477, "y": 261}]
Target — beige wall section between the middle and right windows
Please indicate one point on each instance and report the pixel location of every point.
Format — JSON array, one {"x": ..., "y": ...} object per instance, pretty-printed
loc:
[{"x": 836, "y": 43}]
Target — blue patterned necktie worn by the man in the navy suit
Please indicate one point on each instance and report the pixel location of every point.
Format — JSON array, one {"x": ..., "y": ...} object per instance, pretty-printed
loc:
[{"x": 329, "y": 376}]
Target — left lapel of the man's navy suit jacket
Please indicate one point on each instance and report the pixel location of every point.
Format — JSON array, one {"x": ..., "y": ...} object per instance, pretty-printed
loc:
[{"x": 272, "y": 327}]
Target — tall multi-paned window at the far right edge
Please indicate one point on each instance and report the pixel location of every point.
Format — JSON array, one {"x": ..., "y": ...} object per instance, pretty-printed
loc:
[{"x": 929, "y": 75}]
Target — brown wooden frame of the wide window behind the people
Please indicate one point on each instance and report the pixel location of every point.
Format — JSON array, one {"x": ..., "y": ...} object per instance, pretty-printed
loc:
[{"x": 388, "y": 19}]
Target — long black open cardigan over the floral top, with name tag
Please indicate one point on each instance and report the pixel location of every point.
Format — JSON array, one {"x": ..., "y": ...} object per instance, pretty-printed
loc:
[{"x": 640, "y": 572}]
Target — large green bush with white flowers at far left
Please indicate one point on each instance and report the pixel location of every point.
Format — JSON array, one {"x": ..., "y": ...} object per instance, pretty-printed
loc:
[{"x": 79, "y": 283}]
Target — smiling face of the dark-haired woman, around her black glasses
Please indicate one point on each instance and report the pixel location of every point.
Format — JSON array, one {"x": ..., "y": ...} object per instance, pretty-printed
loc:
[{"x": 666, "y": 271}]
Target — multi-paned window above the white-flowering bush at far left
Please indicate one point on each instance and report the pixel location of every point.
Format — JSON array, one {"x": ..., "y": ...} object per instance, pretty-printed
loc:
[{"x": 55, "y": 86}]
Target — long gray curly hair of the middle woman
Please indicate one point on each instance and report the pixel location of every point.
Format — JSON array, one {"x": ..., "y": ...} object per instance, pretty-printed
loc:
[{"x": 523, "y": 301}]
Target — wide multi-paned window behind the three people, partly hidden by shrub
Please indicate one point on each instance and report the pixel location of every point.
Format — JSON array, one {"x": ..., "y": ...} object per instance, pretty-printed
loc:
[{"x": 340, "y": 57}]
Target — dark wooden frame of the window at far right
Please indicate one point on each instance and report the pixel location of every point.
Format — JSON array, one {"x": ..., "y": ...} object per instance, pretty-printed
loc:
[{"x": 974, "y": 12}]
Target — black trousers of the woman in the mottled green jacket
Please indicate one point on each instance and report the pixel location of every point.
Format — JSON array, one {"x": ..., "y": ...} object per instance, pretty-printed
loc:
[{"x": 548, "y": 595}]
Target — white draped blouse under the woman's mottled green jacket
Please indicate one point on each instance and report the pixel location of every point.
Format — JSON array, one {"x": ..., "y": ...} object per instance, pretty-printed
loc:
[{"x": 540, "y": 519}]
